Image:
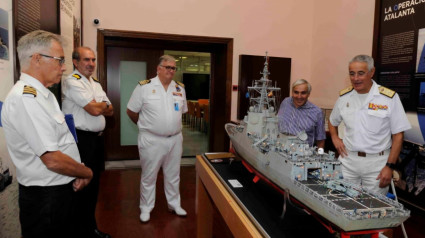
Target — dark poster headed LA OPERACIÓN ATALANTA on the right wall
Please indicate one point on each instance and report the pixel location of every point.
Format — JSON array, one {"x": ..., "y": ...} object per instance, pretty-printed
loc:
[{"x": 400, "y": 60}]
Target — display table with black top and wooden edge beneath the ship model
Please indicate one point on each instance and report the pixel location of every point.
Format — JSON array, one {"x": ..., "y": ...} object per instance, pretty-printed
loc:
[{"x": 252, "y": 210}]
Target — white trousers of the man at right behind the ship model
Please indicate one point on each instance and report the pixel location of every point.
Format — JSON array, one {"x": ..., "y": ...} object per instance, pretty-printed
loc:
[{"x": 364, "y": 170}]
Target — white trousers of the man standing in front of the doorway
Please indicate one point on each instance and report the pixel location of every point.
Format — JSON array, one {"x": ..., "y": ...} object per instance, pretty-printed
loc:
[{"x": 156, "y": 152}]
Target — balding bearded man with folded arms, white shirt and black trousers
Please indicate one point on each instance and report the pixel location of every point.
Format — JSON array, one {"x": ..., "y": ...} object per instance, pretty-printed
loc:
[{"x": 85, "y": 99}]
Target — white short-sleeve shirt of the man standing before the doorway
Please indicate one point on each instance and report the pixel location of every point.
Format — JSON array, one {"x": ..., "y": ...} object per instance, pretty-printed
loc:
[{"x": 160, "y": 111}]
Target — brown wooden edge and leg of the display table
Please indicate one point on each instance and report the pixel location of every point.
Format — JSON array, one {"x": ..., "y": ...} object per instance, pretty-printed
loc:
[{"x": 210, "y": 190}]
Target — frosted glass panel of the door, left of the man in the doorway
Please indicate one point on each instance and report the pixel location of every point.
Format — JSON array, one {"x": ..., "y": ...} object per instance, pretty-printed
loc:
[{"x": 131, "y": 72}]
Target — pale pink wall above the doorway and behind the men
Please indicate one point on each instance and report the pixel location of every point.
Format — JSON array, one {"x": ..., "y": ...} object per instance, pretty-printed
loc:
[{"x": 308, "y": 31}]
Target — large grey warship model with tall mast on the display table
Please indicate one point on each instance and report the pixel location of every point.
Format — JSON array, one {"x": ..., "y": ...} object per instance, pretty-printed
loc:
[{"x": 312, "y": 177}]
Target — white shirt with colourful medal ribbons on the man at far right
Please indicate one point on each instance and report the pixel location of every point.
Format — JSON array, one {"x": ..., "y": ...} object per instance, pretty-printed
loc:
[{"x": 369, "y": 125}]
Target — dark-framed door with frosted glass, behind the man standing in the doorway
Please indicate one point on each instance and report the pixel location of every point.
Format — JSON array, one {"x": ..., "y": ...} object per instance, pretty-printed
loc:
[{"x": 120, "y": 60}]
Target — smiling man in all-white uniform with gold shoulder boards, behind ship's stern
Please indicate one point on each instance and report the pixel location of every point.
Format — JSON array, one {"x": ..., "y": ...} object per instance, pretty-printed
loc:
[{"x": 375, "y": 122}]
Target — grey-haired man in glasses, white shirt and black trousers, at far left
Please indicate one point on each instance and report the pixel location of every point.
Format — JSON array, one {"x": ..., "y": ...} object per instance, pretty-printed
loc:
[{"x": 39, "y": 141}]
